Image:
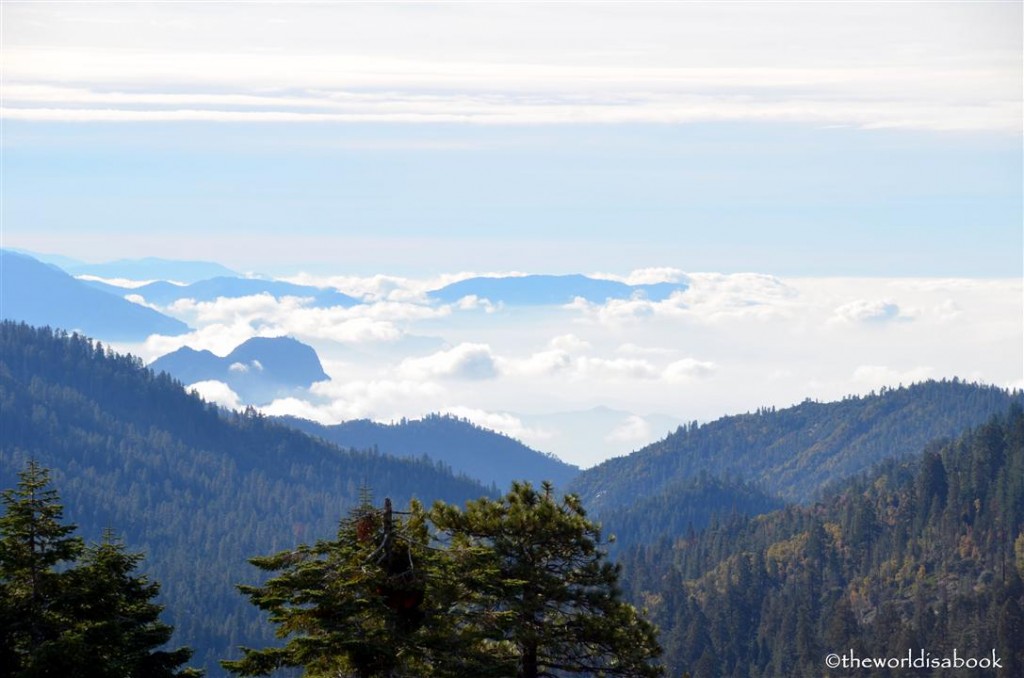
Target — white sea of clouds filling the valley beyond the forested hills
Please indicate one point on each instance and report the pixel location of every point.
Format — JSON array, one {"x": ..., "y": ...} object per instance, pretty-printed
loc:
[{"x": 730, "y": 344}]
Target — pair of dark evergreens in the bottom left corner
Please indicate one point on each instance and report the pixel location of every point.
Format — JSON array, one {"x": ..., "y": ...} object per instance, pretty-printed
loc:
[{"x": 70, "y": 611}]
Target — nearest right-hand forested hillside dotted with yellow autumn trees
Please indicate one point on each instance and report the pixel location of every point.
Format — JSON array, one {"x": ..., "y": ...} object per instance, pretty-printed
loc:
[{"x": 926, "y": 554}]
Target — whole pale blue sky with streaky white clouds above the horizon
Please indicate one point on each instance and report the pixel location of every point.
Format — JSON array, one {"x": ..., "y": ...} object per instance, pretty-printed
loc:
[{"x": 880, "y": 140}]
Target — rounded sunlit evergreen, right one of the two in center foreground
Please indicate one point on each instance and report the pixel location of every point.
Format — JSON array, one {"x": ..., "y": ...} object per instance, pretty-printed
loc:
[{"x": 543, "y": 588}]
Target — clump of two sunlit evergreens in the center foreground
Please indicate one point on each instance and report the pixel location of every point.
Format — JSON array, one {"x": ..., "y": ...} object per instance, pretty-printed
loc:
[{"x": 517, "y": 587}]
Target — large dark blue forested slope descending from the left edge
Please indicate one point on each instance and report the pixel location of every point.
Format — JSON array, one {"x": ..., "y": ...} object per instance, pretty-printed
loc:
[{"x": 197, "y": 490}]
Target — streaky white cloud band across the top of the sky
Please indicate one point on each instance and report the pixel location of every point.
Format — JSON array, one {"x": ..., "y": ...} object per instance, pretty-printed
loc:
[{"x": 852, "y": 64}]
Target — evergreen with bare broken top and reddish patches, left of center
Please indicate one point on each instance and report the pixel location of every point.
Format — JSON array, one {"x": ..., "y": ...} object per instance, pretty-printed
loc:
[{"x": 372, "y": 603}]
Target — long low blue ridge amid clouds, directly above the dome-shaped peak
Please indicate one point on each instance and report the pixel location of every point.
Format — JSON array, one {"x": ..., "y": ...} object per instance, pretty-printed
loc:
[{"x": 164, "y": 293}]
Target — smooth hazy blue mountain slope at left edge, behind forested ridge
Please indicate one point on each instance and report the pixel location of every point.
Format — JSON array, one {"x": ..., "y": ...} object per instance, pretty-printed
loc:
[{"x": 42, "y": 294}]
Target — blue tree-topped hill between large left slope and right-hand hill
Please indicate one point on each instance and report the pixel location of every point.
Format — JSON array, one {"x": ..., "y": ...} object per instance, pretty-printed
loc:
[{"x": 480, "y": 453}]
